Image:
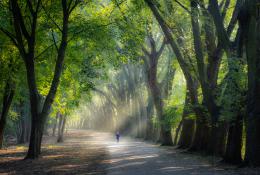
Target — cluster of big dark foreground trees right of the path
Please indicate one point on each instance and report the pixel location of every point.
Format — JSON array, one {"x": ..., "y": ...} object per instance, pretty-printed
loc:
[{"x": 211, "y": 23}]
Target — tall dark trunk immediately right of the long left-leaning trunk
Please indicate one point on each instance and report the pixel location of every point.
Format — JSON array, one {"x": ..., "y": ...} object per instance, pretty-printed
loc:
[{"x": 208, "y": 92}]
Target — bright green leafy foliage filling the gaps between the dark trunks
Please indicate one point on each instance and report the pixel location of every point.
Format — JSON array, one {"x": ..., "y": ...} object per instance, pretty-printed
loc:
[{"x": 104, "y": 49}]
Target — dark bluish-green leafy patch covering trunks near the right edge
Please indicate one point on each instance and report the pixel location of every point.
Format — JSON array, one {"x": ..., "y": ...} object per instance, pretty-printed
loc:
[{"x": 233, "y": 90}]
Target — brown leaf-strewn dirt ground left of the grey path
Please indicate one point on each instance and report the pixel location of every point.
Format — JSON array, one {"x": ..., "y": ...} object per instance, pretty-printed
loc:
[{"x": 77, "y": 155}]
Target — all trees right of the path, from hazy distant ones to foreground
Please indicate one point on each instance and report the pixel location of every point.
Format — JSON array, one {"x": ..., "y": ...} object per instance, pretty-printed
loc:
[{"x": 216, "y": 47}]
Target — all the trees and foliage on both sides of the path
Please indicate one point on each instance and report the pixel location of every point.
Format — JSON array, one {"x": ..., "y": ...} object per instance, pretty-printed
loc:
[{"x": 150, "y": 46}]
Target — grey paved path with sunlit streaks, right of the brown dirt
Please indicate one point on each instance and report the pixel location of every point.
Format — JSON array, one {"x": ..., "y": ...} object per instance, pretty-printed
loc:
[{"x": 133, "y": 157}]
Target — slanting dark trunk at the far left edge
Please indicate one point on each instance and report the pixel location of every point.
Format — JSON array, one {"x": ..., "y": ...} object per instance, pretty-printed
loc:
[{"x": 7, "y": 101}]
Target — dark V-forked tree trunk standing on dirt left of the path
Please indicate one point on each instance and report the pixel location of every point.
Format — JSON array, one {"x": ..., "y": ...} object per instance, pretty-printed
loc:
[{"x": 39, "y": 118}]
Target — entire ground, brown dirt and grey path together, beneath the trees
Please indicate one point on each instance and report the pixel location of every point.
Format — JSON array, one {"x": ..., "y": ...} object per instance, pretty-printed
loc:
[{"x": 94, "y": 153}]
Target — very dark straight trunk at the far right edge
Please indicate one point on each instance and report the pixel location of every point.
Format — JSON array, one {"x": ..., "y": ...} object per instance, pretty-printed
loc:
[{"x": 252, "y": 42}]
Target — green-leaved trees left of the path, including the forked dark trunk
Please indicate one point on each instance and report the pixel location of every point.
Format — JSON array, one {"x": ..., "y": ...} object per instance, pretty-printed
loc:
[{"x": 36, "y": 37}]
